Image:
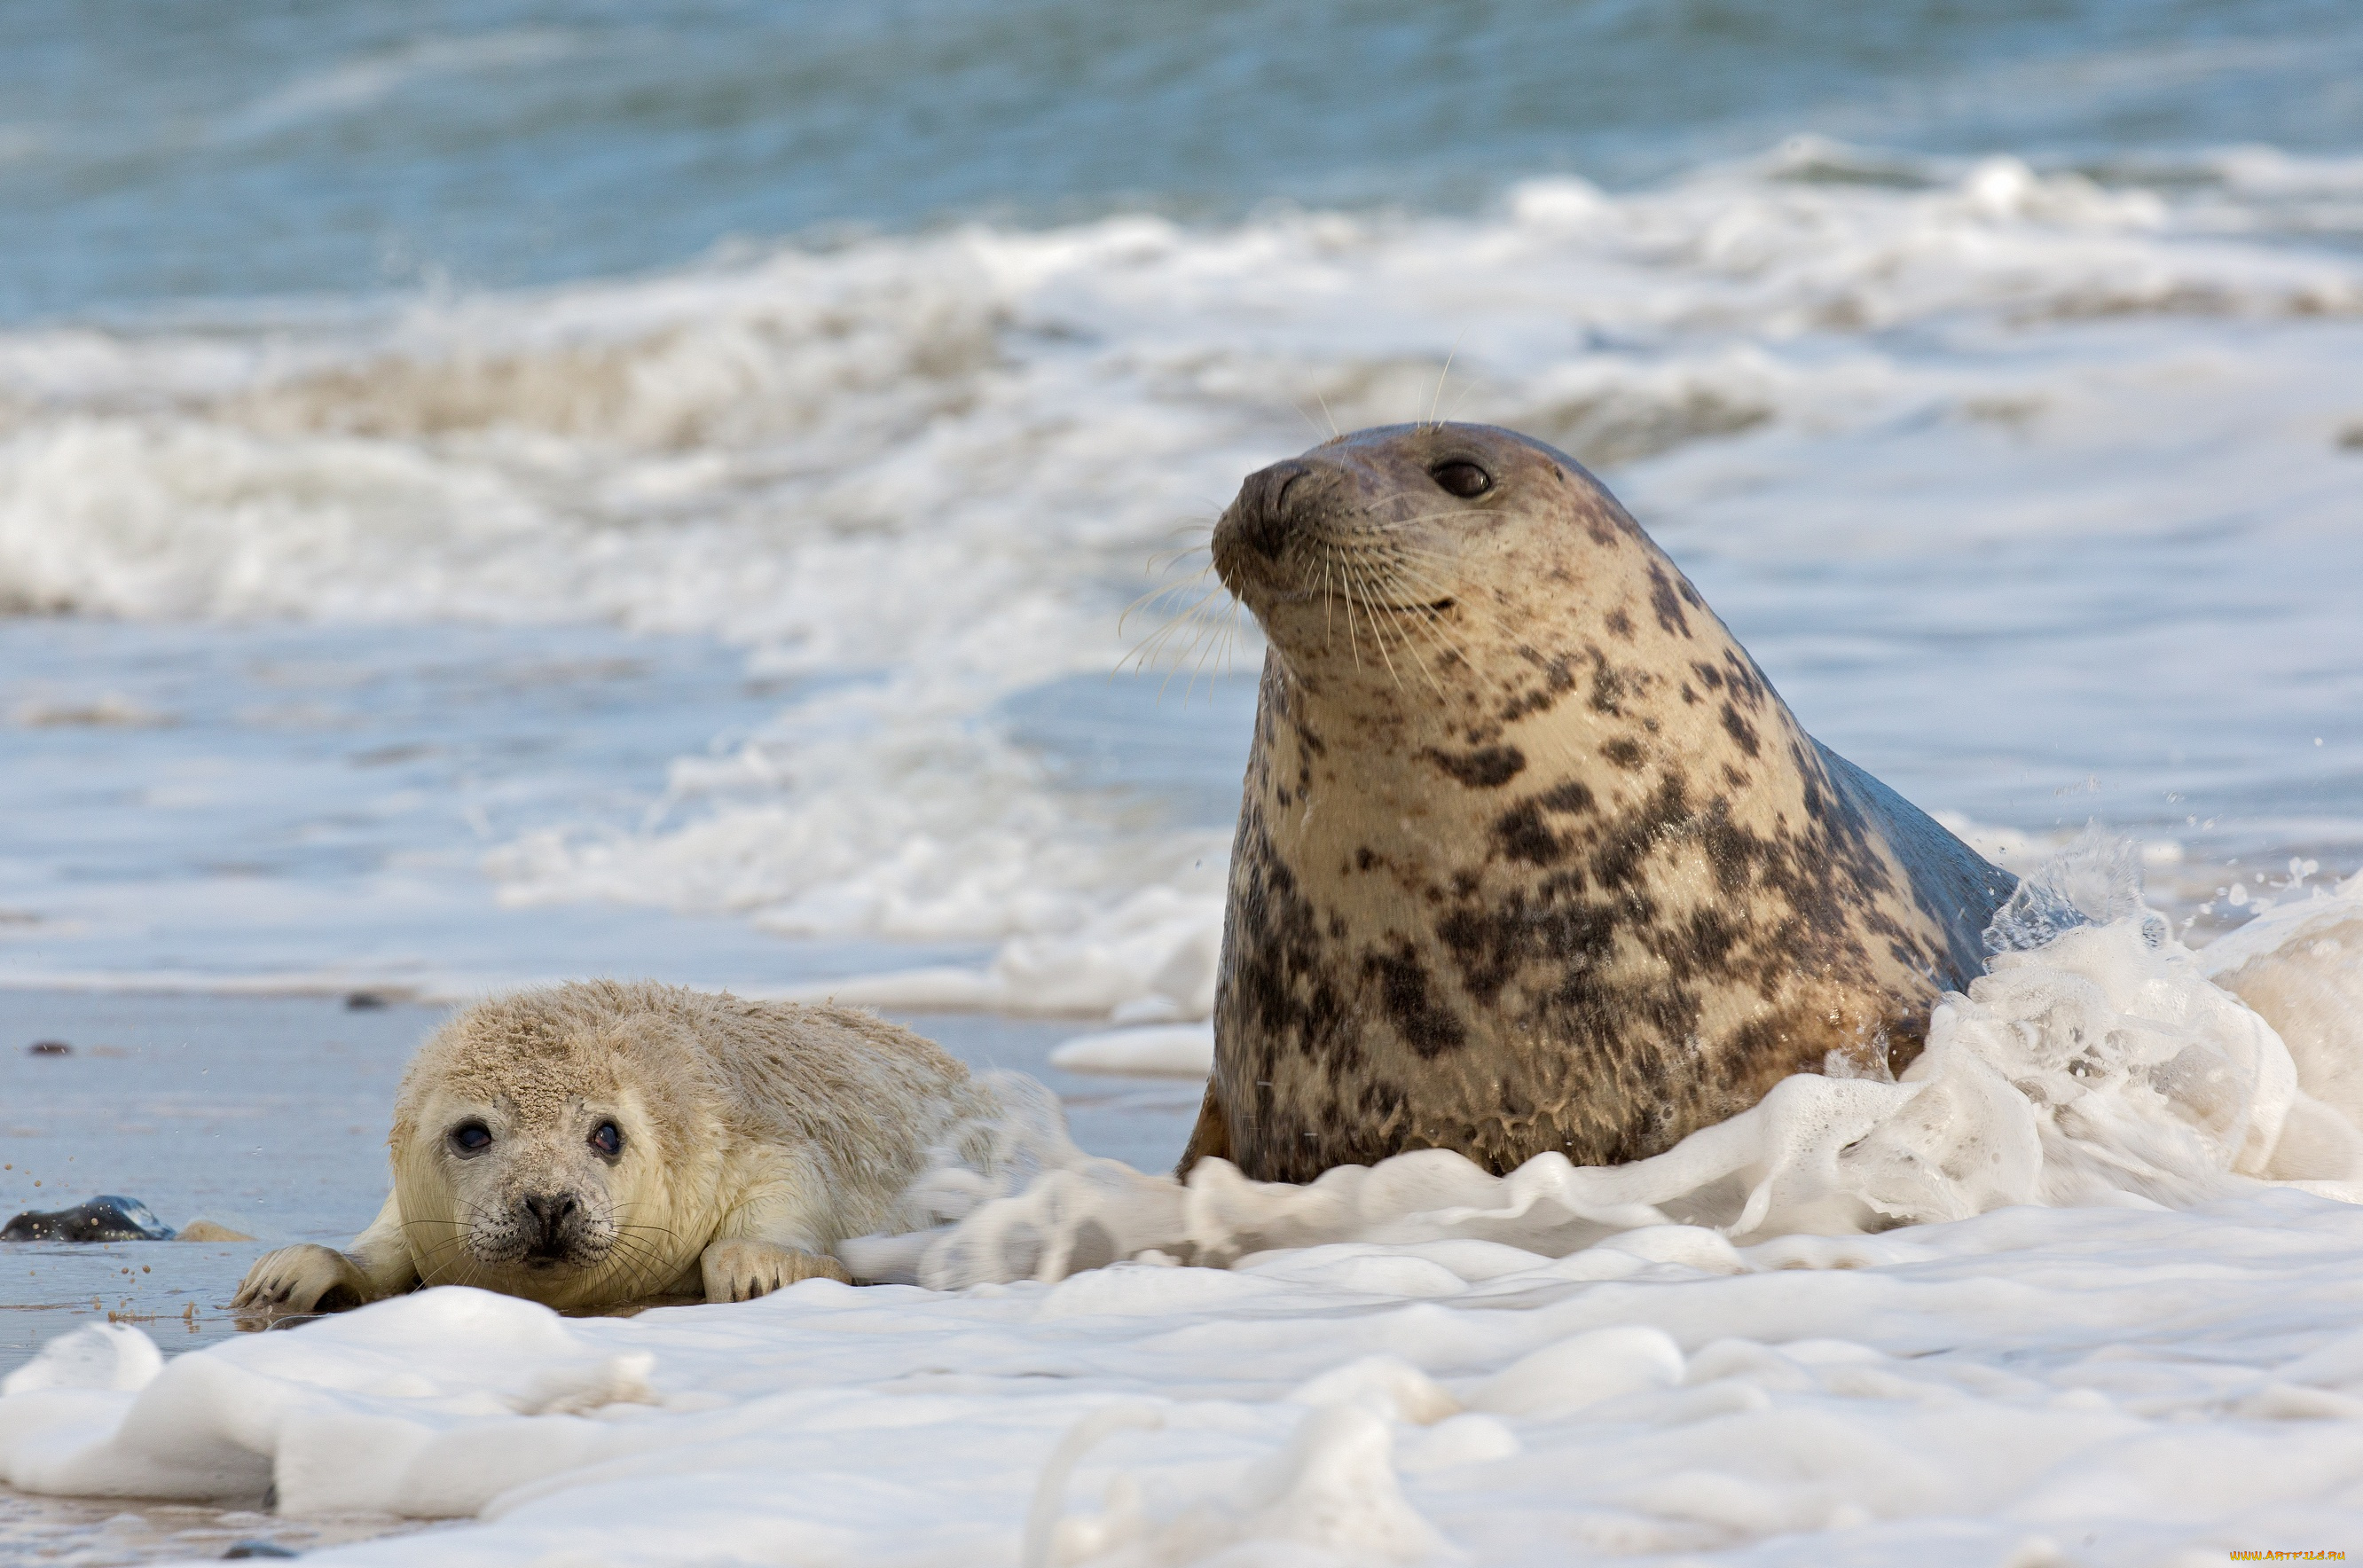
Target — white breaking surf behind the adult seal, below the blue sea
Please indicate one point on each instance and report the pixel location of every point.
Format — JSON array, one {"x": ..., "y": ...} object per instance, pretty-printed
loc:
[{"x": 918, "y": 476}]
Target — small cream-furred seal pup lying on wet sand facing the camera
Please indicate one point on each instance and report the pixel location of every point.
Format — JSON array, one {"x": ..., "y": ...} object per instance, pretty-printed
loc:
[{"x": 599, "y": 1144}]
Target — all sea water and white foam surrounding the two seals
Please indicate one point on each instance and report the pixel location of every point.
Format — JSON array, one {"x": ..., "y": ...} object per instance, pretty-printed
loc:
[{"x": 710, "y": 492}]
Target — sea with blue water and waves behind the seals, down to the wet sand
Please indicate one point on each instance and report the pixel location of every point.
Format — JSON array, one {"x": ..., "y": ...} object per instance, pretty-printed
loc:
[{"x": 677, "y": 478}]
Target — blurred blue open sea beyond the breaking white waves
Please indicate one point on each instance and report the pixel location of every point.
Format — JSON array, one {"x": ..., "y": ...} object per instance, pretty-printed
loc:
[{"x": 157, "y": 152}]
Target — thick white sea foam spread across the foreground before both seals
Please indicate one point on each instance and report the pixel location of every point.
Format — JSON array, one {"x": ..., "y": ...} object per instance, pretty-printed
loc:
[{"x": 2064, "y": 1283}]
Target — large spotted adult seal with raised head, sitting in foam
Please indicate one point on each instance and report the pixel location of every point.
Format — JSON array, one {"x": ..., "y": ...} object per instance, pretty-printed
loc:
[{"x": 1530, "y": 854}]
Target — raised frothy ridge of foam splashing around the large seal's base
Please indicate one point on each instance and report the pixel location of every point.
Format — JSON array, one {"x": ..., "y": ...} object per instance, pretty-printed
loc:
[{"x": 2100, "y": 1066}]
